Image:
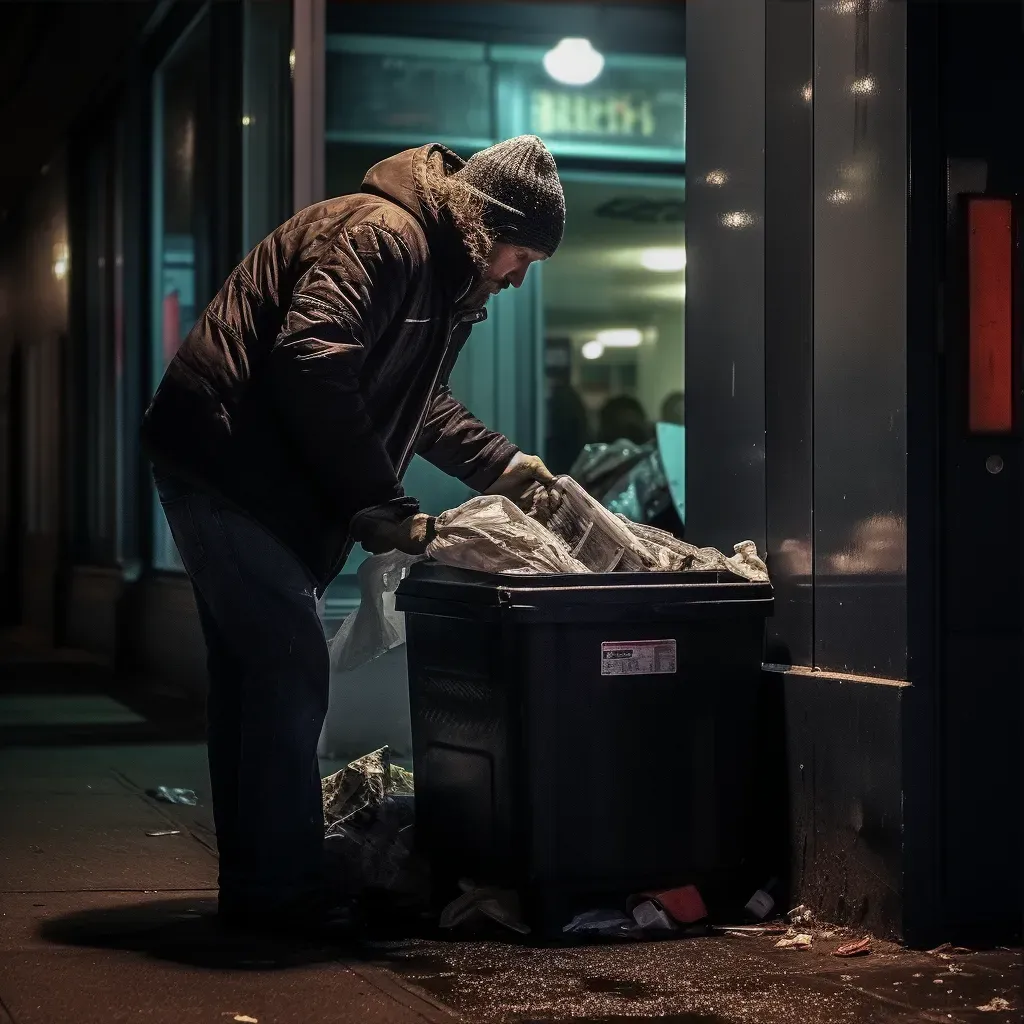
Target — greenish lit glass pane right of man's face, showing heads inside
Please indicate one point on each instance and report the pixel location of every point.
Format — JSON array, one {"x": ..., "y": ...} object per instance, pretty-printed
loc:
[{"x": 614, "y": 314}]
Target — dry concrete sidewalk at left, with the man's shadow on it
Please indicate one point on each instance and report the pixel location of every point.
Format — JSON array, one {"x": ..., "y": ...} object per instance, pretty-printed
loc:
[{"x": 102, "y": 920}]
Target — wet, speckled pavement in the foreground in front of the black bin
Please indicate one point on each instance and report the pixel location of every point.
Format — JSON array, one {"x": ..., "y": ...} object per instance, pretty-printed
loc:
[{"x": 720, "y": 979}]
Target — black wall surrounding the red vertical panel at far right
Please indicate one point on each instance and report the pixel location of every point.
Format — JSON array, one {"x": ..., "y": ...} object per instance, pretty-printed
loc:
[{"x": 983, "y": 88}]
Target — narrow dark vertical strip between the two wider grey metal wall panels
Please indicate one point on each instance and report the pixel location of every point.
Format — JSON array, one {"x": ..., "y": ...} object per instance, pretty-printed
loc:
[{"x": 789, "y": 343}]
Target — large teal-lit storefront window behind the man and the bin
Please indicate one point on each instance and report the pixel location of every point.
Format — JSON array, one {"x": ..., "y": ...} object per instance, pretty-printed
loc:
[{"x": 591, "y": 349}]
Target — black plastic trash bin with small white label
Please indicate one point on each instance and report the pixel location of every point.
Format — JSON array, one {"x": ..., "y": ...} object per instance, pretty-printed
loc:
[{"x": 582, "y": 738}]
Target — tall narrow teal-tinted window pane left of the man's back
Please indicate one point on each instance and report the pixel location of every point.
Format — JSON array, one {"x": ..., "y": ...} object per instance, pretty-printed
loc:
[{"x": 181, "y": 235}]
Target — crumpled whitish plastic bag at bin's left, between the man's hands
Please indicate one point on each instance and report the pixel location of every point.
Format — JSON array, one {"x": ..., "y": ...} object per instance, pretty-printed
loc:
[{"x": 493, "y": 535}]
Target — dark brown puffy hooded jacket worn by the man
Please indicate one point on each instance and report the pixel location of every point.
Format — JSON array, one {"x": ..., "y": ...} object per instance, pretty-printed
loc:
[{"x": 322, "y": 367}]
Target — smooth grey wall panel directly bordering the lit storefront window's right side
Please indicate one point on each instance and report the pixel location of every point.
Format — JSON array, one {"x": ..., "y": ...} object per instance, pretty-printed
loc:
[{"x": 726, "y": 223}]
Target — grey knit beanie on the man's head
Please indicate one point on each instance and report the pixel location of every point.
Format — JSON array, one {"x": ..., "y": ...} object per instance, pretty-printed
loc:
[{"x": 525, "y": 203}]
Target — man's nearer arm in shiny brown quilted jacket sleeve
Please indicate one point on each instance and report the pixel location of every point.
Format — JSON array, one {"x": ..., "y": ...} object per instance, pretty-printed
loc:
[{"x": 338, "y": 311}]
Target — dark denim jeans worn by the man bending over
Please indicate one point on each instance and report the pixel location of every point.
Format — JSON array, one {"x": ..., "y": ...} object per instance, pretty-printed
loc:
[{"x": 270, "y": 673}]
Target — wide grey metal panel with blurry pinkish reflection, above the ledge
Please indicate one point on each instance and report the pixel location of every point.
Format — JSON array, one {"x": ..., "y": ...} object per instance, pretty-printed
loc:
[{"x": 861, "y": 177}]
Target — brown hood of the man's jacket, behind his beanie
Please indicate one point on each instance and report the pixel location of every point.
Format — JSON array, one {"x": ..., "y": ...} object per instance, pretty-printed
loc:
[{"x": 403, "y": 180}]
